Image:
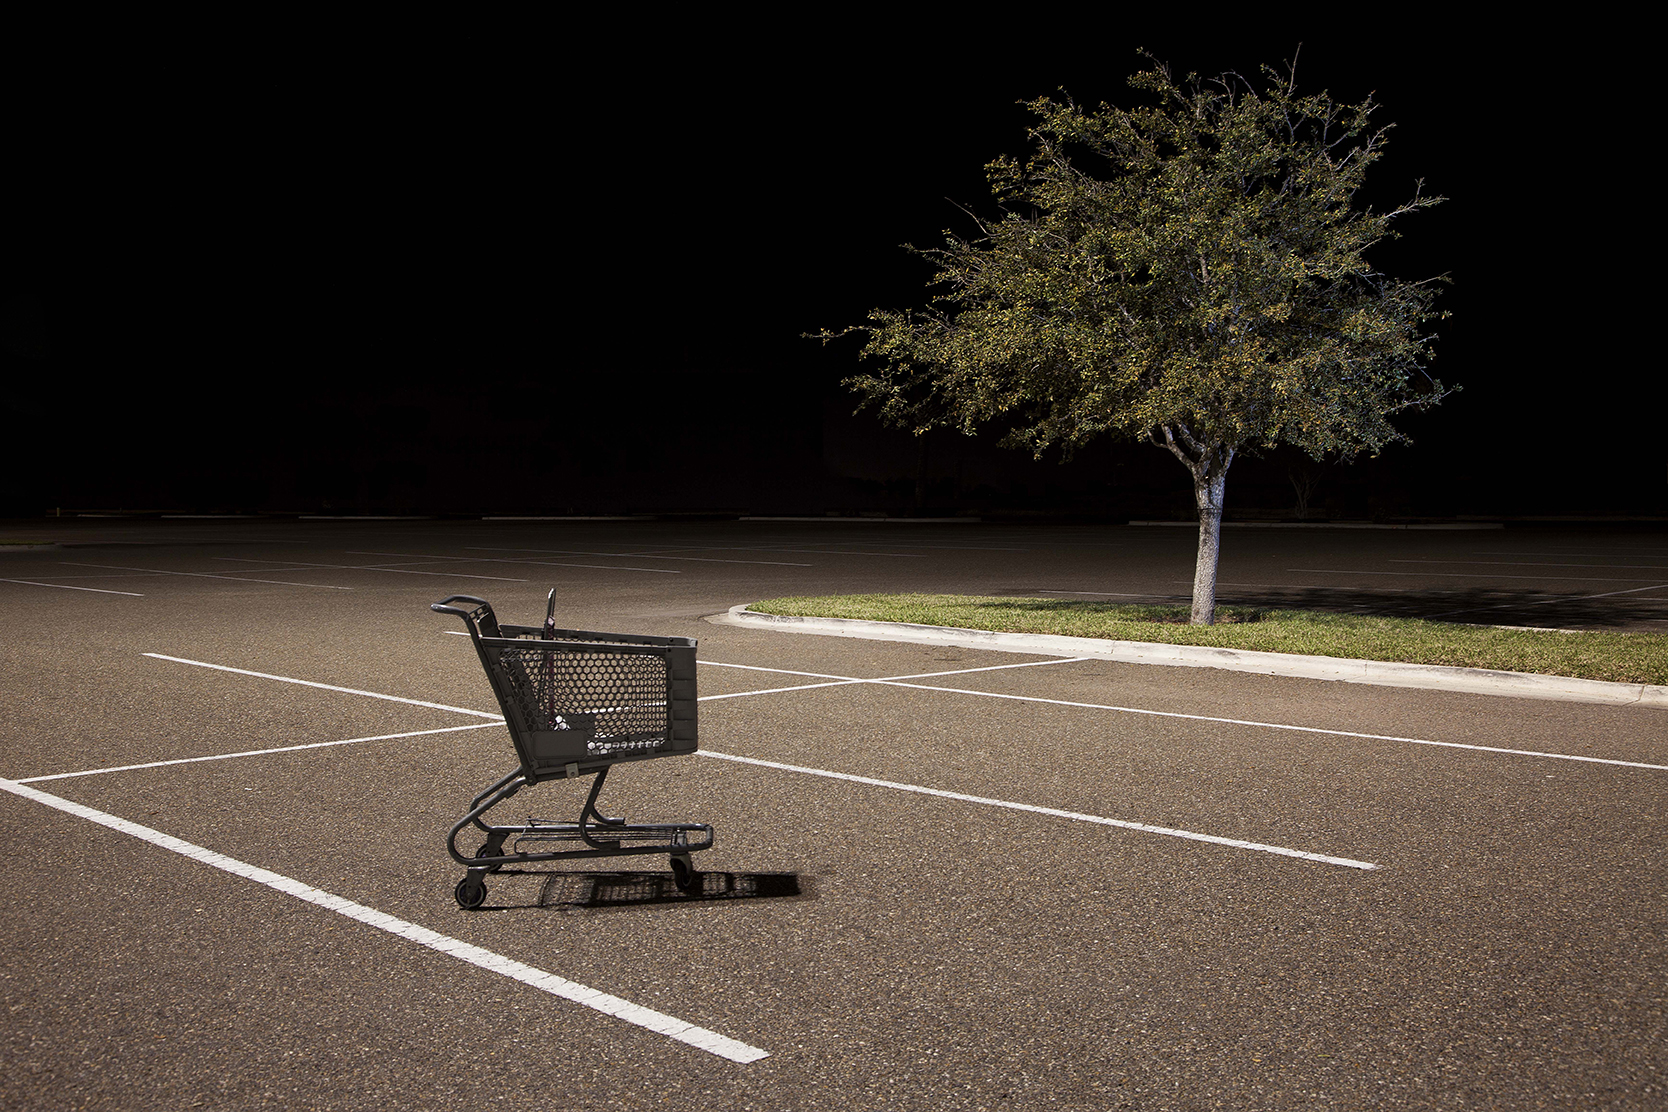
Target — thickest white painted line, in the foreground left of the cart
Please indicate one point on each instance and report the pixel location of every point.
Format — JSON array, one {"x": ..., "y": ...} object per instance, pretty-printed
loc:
[{"x": 573, "y": 991}]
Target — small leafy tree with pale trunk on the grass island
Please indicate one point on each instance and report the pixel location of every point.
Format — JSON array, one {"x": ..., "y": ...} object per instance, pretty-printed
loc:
[{"x": 1190, "y": 273}]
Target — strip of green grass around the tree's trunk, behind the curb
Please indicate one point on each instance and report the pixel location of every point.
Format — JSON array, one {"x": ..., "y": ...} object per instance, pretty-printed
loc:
[{"x": 1620, "y": 658}]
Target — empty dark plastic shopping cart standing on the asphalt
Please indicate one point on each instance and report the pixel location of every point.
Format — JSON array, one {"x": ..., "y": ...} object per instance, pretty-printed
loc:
[{"x": 578, "y": 704}]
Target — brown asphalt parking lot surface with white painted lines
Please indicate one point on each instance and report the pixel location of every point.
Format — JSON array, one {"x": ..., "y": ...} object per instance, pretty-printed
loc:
[{"x": 943, "y": 879}]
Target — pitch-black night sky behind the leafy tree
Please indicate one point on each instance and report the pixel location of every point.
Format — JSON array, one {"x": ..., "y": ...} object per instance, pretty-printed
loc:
[{"x": 560, "y": 268}]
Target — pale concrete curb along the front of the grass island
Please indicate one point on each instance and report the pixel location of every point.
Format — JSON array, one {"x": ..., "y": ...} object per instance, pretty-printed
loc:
[{"x": 1427, "y": 676}]
